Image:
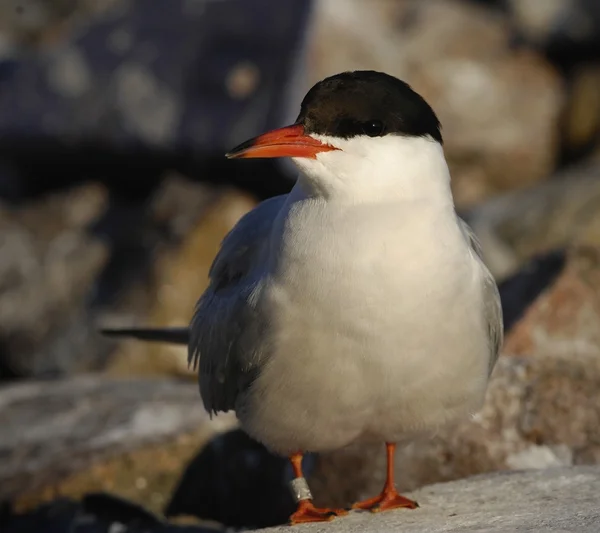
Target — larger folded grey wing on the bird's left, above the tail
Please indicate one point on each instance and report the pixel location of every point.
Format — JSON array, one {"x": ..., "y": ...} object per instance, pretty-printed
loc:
[{"x": 226, "y": 328}]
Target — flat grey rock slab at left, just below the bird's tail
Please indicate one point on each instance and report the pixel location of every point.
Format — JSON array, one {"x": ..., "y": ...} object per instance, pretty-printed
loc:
[{"x": 53, "y": 428}]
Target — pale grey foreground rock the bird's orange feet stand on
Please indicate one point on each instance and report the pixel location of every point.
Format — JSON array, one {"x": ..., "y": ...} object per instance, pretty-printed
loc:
[{"x": 557, "y": 499}]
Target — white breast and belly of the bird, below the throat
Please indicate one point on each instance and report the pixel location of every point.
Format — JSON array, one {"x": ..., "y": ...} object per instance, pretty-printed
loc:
[{"x": 376, "y": 327}]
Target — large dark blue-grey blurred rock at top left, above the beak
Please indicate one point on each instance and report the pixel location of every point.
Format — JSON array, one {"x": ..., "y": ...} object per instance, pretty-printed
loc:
[{"x": 194, "y": 75}]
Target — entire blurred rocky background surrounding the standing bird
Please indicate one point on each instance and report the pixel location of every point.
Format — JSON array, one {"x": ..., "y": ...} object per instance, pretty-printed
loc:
[{"x": 115, "y": 195}]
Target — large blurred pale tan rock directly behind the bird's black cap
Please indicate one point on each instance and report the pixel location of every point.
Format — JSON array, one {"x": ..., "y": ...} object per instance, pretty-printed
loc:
[{"x": 499, "y": 107}]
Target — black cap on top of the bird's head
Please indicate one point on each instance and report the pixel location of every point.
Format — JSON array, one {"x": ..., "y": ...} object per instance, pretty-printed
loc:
[{"x": 367, "y": 103}]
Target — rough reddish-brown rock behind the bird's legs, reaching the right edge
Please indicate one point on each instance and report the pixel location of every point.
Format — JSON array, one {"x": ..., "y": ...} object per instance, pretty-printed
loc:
[{"x": 540, "y": 409}]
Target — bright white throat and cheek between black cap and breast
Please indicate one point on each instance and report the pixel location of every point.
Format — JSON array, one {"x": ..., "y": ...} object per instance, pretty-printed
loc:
[{"x": 374, "y": 169}]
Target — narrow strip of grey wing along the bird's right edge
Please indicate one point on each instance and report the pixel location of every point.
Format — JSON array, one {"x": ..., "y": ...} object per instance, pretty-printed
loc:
[{"x": 492, "y": 305}]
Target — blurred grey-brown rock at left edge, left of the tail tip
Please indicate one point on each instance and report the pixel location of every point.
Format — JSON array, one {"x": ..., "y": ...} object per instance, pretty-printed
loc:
[{"x": 48, "y": 266}]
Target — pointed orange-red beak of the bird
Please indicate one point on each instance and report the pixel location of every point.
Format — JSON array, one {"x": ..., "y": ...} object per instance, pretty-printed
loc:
[{"x": 283, "y": 142}]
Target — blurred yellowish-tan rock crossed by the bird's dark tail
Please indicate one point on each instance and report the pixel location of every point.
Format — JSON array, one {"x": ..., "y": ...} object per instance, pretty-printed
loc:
[{"x": 180, "y": 275}]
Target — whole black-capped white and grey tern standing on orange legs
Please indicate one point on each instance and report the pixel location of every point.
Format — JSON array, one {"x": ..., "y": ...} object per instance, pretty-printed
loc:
[{"x": 356, "y": 307}]
